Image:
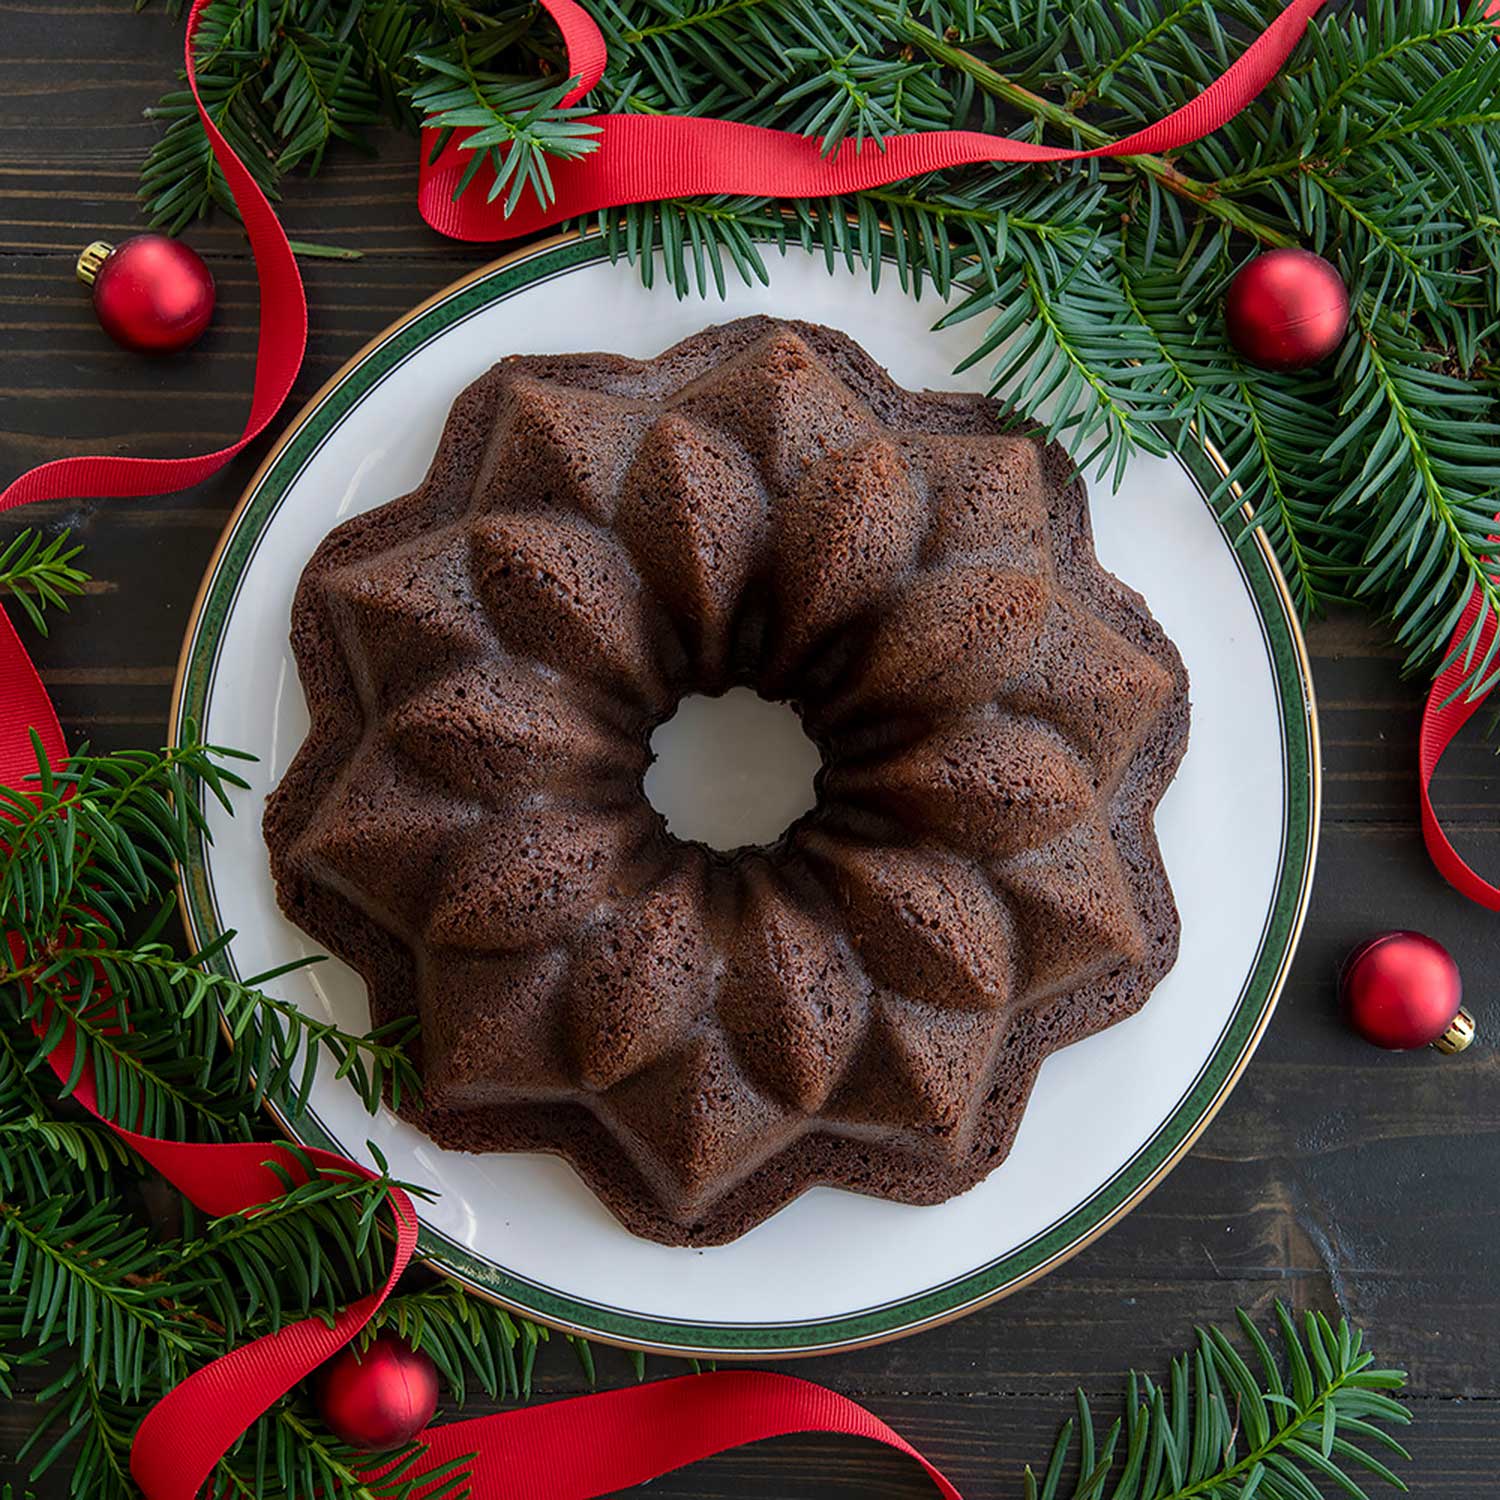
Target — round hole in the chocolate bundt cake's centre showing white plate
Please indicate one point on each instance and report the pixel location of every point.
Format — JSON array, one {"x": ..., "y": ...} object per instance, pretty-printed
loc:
[{"x": 731, "y": 772}]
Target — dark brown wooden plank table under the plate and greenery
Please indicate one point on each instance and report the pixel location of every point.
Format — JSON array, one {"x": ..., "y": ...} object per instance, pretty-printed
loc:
[{"x": 1336, "y": 1178}]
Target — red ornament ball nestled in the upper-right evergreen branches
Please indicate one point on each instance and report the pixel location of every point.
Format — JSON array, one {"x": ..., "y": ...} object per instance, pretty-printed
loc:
[{"x": 1286, "y": 310}]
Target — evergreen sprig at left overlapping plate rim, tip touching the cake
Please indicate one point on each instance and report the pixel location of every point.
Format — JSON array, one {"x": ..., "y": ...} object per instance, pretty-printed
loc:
[{"x": 91, "y": 850}]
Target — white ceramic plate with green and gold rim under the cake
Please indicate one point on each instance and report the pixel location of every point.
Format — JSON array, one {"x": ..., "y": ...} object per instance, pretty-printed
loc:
[{"x": 1108, "y": 1117}]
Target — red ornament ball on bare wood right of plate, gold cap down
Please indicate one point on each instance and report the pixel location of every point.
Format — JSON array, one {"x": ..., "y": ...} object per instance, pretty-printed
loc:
[{"x": 1403, "y": 991}]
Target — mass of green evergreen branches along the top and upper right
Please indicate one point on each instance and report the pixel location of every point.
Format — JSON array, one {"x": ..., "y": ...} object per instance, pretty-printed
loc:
[{"x": 1094, "y": 290}]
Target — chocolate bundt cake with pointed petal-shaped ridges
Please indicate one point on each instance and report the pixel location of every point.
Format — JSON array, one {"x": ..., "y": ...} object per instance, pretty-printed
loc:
[{"x": 706, "y": 1034}]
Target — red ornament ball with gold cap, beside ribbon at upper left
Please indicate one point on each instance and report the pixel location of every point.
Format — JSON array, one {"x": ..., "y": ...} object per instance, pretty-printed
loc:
[{"x": 152, "y": 295}]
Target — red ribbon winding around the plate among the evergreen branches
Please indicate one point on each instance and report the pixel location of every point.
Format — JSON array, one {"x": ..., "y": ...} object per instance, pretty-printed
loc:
[{"x": 593, "y": 1445}]
